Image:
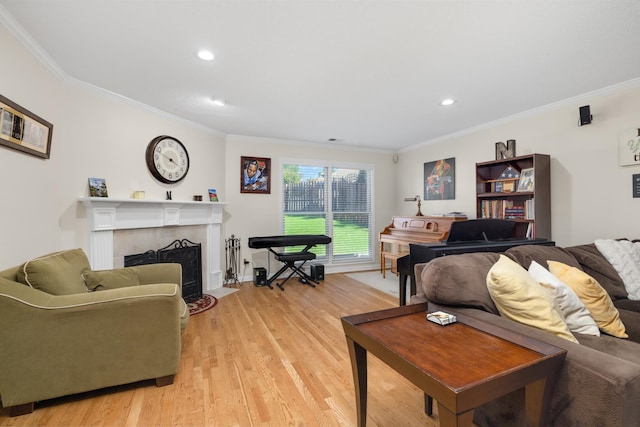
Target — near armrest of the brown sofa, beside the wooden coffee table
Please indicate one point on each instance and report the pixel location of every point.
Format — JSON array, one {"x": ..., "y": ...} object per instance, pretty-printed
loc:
[{"x": 593, "y": 386}]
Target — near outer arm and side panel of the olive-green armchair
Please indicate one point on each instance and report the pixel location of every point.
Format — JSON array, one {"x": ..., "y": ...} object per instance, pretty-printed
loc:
[{"x": 59, "y": 345}]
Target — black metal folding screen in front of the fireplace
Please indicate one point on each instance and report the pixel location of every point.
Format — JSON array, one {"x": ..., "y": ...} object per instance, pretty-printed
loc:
[{"x": 183, "y": 252}]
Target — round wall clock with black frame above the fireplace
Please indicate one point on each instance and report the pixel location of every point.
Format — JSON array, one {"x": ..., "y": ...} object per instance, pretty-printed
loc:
[{"x": 167, "y": 159}]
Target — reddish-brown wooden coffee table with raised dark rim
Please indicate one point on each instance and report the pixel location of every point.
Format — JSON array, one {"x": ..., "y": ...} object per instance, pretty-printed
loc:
[{"x": 461, "y": 366}]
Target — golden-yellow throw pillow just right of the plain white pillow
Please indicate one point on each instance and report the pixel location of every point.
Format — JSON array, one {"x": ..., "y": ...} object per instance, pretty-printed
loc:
[{"x": 594, "y": 297}]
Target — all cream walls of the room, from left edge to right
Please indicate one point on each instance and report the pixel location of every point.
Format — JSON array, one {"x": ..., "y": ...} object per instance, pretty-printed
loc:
[{"x": 99, "y": 135}]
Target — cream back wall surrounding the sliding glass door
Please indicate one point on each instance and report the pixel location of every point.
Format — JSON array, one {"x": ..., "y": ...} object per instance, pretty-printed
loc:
[{"x": 251, "y": 215}]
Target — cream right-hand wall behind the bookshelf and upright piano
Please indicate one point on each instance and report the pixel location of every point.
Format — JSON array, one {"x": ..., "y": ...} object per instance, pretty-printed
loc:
[{"x": 591, "y": 194}]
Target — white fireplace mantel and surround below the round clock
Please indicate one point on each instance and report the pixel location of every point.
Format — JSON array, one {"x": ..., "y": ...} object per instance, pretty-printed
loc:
[{"x": 139, "y": 219}]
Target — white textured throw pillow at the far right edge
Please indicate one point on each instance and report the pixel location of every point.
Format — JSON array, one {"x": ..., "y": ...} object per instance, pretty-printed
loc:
[{"x": 623, "y": 255}]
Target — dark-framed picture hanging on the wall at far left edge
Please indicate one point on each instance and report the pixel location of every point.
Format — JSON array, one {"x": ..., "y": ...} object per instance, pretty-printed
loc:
[{"x": 23, "y": 130}]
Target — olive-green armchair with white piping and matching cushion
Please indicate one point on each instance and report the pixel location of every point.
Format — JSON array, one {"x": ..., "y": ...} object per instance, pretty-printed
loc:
[{"x": 123, "y": 326}]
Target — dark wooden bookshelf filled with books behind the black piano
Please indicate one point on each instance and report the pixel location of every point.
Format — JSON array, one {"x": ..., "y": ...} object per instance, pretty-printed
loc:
[{"x": 498, "y": 195}]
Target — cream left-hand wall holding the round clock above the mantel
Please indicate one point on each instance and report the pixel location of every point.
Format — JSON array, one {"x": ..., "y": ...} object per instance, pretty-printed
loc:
[{"x": 94, "y": 135}]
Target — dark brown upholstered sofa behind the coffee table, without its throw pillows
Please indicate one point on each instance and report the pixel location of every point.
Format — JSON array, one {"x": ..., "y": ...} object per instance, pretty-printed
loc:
[{"x": 599, "y": 383}]
